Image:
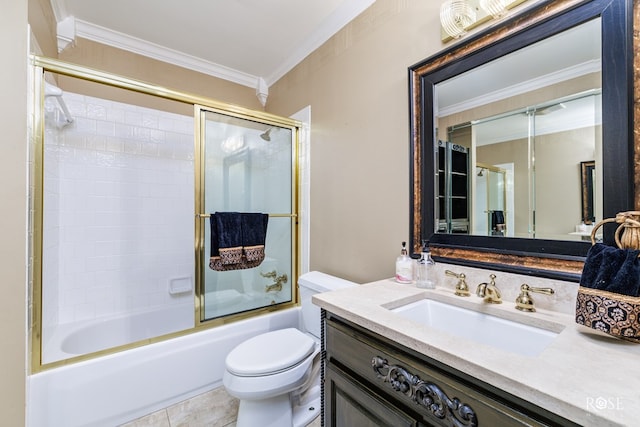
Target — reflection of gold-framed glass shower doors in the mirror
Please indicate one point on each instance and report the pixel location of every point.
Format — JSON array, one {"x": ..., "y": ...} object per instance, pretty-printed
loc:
[{"x": 529, "y": 167}]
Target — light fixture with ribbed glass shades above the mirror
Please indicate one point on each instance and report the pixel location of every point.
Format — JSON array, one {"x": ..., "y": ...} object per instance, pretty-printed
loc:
[{"x": 457, "y": 17}]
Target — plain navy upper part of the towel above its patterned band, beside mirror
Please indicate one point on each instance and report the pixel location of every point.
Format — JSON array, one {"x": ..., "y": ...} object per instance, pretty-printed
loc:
[{"x": 611, "y": 269}]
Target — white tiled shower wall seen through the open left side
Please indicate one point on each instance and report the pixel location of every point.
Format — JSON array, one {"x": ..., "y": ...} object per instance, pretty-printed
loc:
[{"x": 119, "y": 185}]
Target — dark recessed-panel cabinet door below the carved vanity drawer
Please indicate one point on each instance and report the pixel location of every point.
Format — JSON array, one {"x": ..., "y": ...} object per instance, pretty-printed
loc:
[{"x": 349, "y": 403}]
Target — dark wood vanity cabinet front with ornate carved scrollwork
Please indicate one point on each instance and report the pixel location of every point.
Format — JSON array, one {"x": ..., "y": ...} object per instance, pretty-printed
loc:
[{"x": 372, "y": 381}]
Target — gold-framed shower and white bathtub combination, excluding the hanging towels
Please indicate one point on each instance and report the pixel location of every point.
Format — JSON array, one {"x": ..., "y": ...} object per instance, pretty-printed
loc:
[{"x": 106, "y": 269}]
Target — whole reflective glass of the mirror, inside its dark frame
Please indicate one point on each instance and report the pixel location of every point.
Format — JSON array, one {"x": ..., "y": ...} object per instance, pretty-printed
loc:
[{"x": 511, "y": 150}]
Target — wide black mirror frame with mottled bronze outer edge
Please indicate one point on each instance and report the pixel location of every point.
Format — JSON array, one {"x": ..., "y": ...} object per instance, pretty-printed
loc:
[{"x": 556, "y": 258}]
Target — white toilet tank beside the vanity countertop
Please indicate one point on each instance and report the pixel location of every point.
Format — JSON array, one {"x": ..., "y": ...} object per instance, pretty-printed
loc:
[{"x": 312, "y": 283}]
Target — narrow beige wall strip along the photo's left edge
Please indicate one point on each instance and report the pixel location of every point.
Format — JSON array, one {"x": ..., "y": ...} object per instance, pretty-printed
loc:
[{"x": 13, "y": 226}]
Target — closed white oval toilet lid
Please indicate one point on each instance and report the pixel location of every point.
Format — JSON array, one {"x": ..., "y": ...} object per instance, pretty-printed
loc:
[{"x": 270, "y": 352}]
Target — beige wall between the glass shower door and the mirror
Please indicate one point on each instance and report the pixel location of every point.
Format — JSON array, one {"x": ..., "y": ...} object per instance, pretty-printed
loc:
[{"x": 357, "y": 87}]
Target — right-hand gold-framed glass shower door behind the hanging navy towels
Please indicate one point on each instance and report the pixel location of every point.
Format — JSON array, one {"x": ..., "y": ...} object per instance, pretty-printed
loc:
[{"x": 247, "y": 168}]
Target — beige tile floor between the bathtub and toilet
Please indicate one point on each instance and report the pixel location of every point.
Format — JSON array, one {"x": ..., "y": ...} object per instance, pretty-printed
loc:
[{"x": 211, "y": 409}]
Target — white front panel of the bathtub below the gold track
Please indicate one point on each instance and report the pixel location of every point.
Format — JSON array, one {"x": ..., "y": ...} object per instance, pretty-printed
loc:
[{"x": 120, "y": 387}]
